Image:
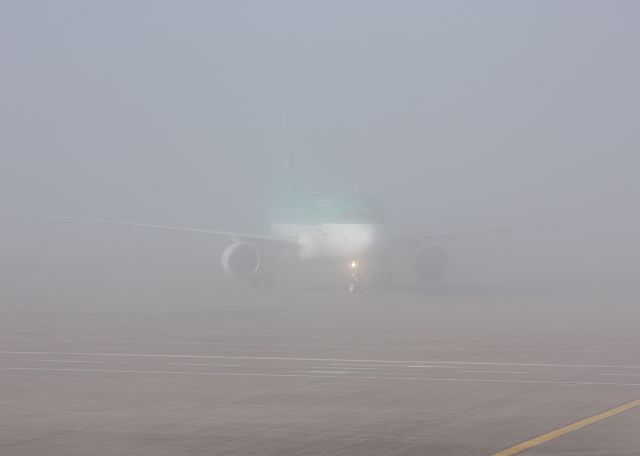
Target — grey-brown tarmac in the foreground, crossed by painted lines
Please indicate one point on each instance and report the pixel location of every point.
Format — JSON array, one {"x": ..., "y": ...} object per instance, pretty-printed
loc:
[{"x": 309, "y": 372}]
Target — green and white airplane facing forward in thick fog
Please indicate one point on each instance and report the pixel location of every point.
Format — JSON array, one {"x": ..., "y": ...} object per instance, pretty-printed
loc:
[{"x": 348, "y": 227}]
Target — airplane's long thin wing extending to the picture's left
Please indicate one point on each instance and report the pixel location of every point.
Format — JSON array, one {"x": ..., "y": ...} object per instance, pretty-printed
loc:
[{"x": 290, "y": 241}]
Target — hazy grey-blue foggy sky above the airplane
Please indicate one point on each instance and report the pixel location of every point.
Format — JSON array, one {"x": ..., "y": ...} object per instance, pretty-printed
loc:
[{"x": 453, "y": 113}]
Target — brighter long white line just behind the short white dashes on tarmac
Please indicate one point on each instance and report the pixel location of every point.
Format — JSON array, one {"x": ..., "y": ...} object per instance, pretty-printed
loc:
[{"x": 282, "y": 358}]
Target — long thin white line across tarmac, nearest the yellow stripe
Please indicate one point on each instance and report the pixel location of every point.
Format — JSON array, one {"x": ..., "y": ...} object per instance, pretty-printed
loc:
[{"x": 341, "y": 377}]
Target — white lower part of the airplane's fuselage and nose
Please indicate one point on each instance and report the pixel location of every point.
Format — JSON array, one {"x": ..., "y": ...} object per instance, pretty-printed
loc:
[{"x": 333, "y": 240}]
